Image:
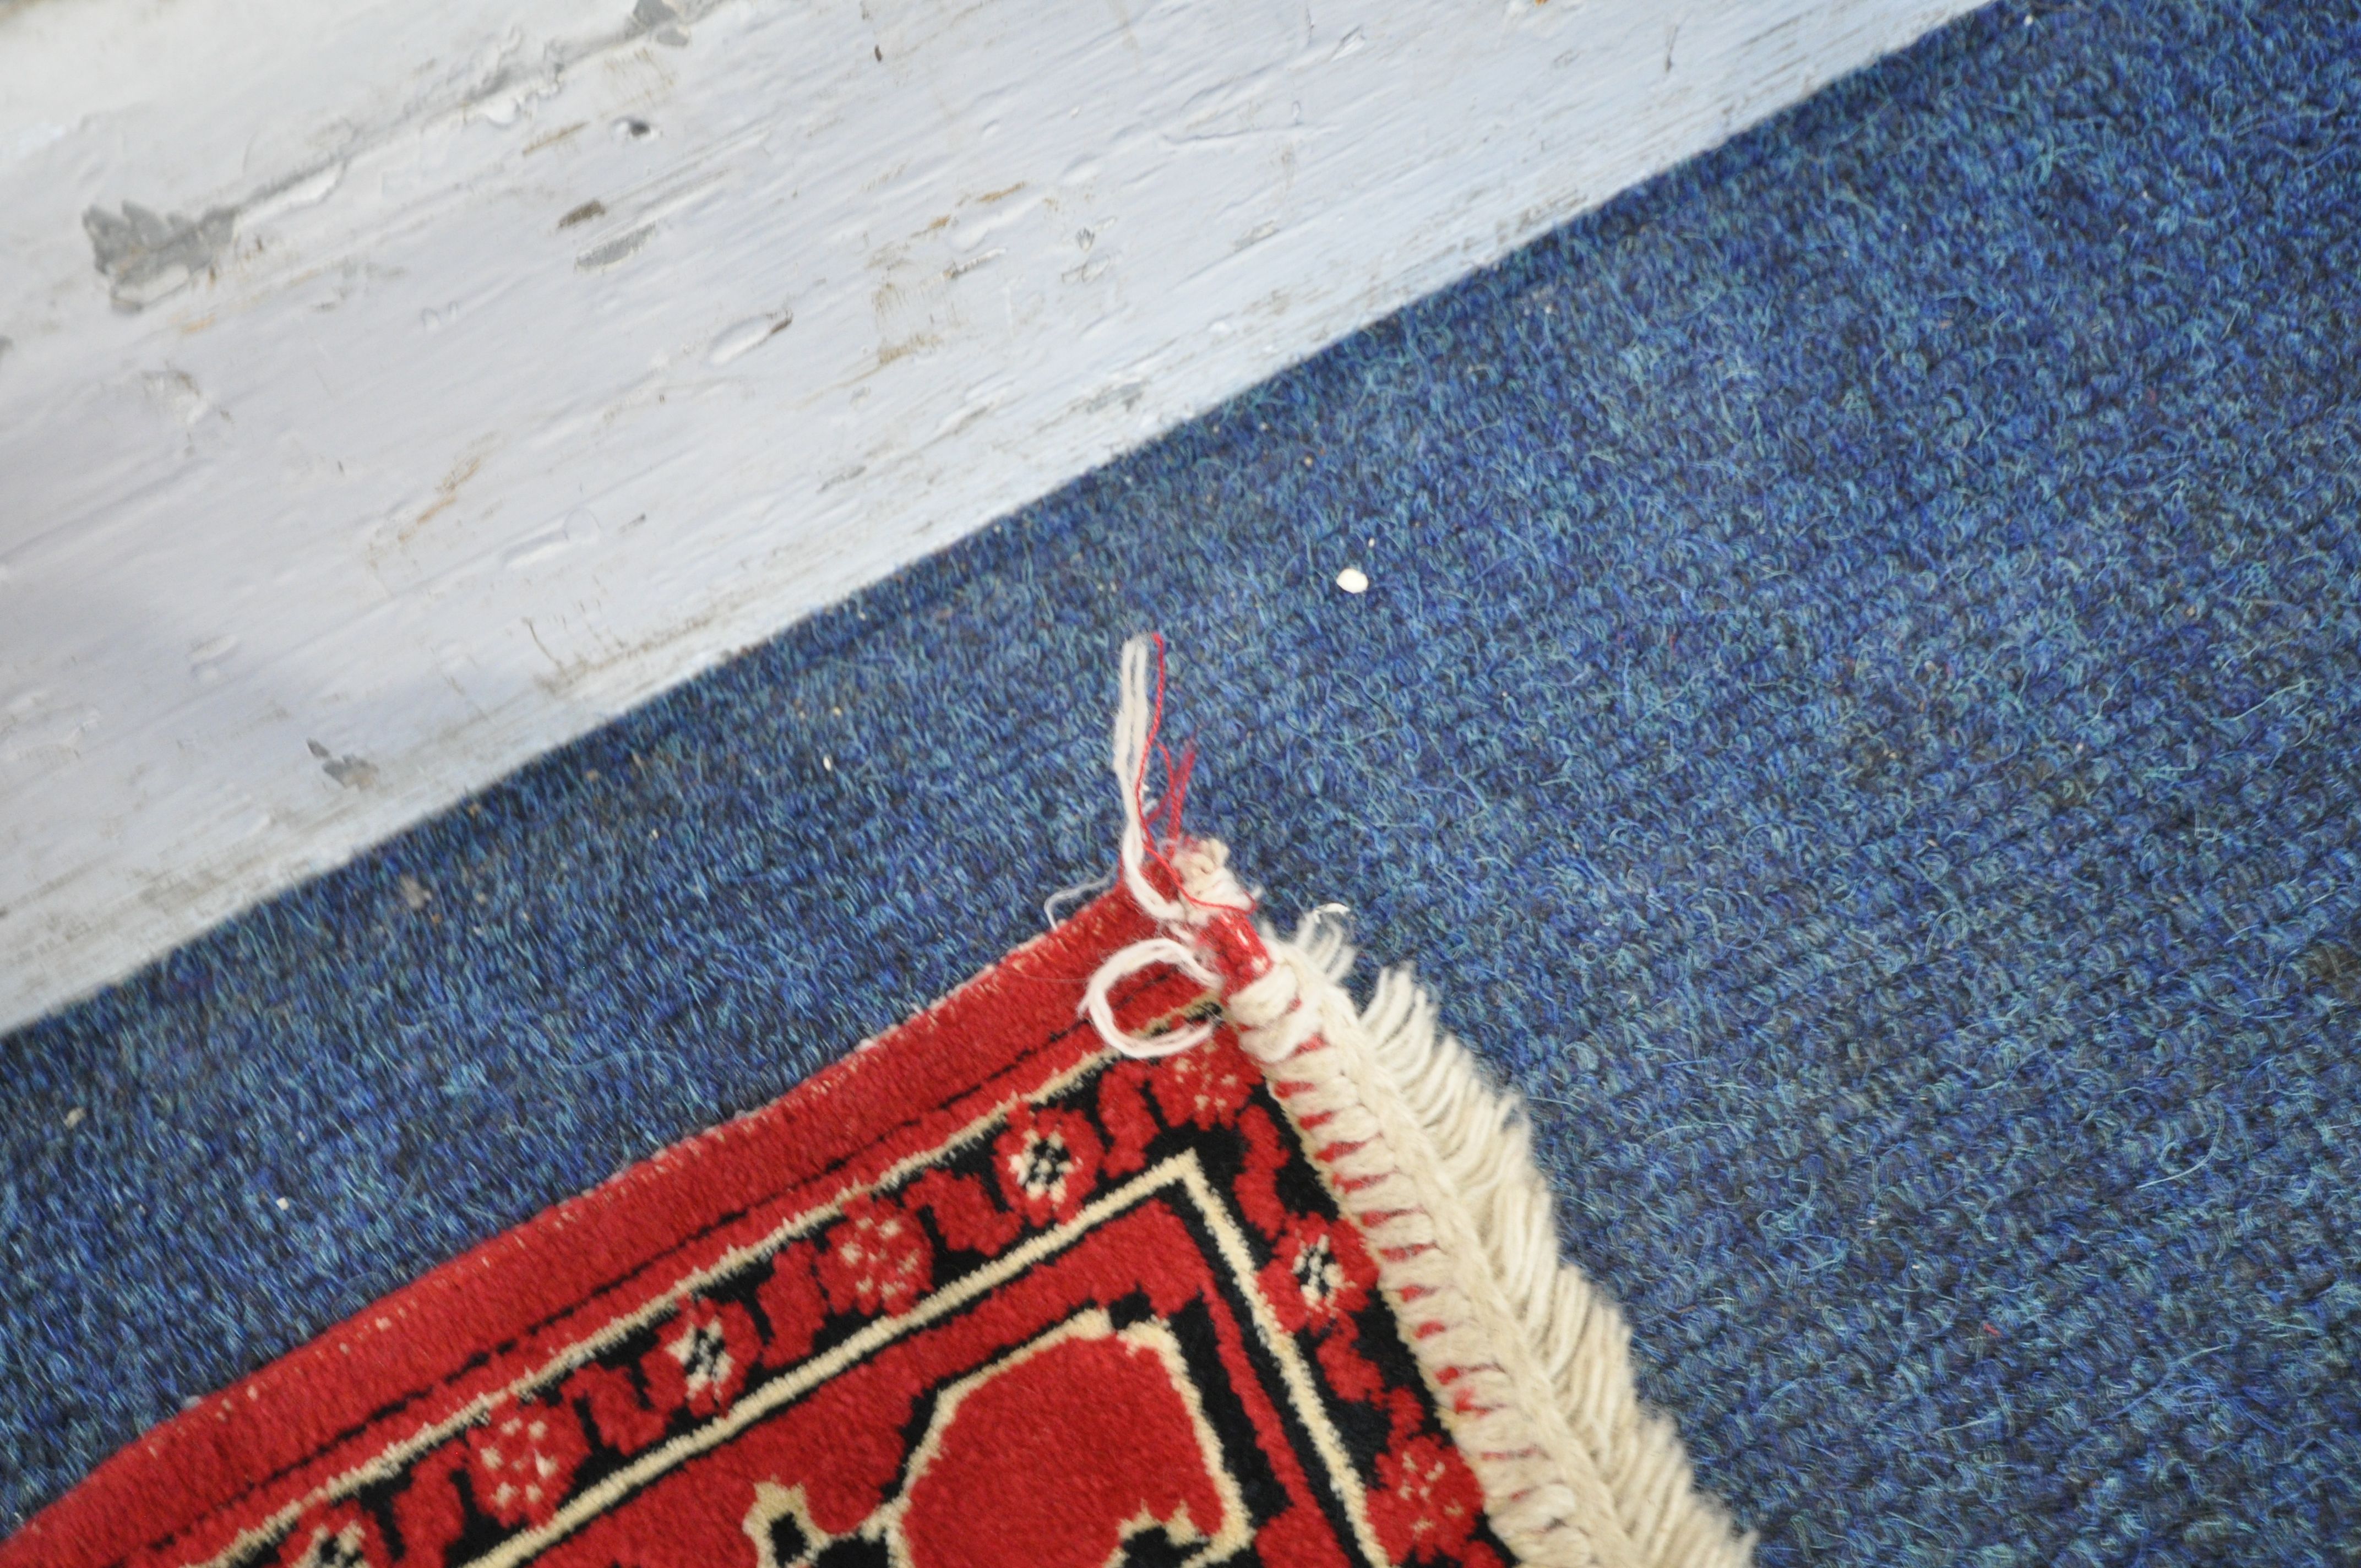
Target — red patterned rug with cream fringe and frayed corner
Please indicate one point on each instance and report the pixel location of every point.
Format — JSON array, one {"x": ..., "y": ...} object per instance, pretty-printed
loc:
[{"x": 1271, "y": 1281}]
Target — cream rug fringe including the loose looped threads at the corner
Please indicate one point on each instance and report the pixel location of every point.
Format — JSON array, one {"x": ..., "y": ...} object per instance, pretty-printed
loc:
[{"x": 1526, "y": 1359}]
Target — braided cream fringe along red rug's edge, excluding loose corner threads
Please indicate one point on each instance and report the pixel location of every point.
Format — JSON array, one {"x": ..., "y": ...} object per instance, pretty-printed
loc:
[{"x": 1531, "y": 1361}]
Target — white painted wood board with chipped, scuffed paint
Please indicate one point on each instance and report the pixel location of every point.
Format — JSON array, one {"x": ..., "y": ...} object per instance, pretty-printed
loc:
[{"x": 457, "y": 384}]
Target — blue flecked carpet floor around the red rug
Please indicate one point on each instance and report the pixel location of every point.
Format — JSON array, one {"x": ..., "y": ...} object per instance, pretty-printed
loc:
[{"x": 1859, "y": 714}]
